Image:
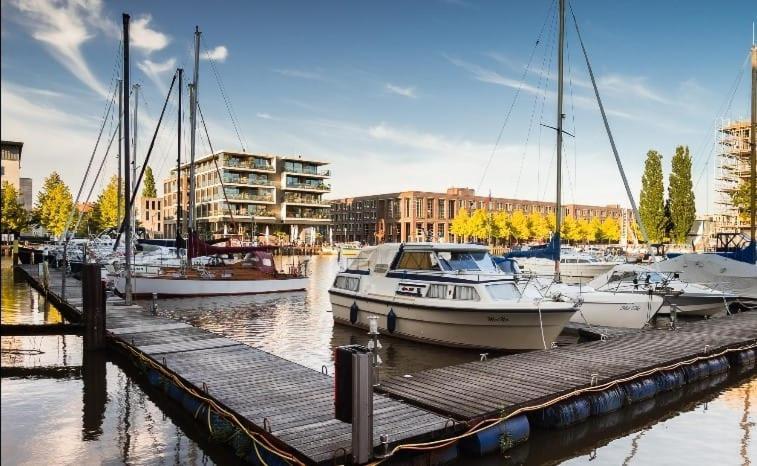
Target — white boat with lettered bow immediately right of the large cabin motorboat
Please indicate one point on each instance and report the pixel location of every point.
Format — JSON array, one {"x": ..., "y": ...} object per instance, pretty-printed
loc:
[{"x": 598, "y": 308}]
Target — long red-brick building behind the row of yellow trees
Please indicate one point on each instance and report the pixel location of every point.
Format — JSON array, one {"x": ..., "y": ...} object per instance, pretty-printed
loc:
[{"x": 427, "y": 216}]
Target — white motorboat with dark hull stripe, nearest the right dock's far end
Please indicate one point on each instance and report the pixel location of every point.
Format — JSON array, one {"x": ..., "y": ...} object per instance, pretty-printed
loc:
[{"x": 690, "y": 298}]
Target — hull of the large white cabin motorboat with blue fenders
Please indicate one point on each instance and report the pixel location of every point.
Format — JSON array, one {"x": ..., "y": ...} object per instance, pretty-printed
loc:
[{"x": 516, "y": 329}]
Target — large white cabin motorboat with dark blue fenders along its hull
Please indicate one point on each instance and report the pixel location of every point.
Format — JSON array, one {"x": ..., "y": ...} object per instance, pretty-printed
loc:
[{"x": 445, "y": 294}]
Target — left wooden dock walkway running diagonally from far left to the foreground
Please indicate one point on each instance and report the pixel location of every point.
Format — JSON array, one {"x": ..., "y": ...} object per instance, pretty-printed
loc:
[{"x": 291, "y": 403}]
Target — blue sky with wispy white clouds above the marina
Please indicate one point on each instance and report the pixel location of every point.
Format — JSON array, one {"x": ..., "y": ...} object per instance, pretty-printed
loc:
[{"x": 394, "y": 95}]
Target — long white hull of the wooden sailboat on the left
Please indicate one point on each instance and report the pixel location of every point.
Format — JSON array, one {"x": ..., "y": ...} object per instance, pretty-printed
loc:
[{"x": 181, "y": 287}]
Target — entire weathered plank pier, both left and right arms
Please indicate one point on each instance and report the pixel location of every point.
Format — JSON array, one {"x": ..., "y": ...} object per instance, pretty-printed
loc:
[{"x": 290, "y": 408}]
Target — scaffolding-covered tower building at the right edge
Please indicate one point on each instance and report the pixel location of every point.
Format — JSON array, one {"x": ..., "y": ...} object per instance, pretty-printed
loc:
[{"x": 733, "y": 170}]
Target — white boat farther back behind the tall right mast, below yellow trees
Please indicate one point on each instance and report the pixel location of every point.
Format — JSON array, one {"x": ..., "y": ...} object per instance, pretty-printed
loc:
[{"x": 575, "y": 267}]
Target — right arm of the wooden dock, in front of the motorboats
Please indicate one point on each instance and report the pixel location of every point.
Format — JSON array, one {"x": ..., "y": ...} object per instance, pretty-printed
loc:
[{"x": 479, "y": 390}]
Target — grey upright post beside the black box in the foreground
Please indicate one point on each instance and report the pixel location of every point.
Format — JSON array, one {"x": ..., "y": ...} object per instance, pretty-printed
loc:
[{"x": 362, "y": 408}]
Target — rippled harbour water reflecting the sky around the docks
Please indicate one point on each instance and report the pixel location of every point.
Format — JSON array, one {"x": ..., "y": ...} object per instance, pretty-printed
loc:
[{"x": 57, "y": 407}]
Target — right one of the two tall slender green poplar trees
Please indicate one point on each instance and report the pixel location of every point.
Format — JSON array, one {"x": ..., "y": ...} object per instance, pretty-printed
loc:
[{"x": 681, "y": 195}]
